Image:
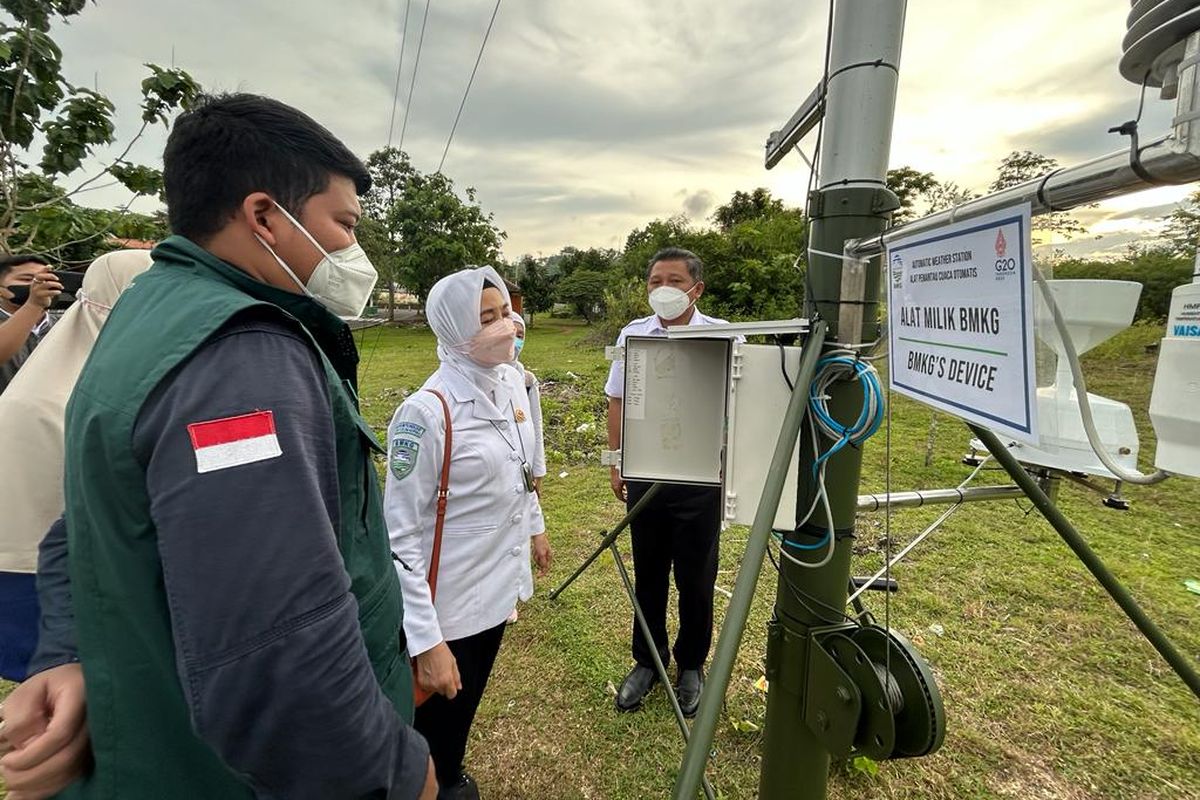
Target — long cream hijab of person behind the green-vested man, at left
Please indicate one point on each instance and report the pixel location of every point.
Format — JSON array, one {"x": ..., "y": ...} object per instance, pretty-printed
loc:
[{"x": 34, "y": 406}]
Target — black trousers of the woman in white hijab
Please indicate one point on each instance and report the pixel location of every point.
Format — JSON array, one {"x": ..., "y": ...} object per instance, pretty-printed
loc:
[{"x": 446, "y": 724}]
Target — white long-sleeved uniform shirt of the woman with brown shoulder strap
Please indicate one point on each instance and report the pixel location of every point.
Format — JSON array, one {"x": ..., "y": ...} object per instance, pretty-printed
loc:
[{"x": 490, "y": 518}]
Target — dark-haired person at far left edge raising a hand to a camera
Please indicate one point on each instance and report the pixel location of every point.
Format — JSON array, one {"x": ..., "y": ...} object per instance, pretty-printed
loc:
[{"x": 28, "y": 287}]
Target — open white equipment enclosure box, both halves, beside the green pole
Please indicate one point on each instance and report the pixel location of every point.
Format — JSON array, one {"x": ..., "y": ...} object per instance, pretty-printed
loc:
[{"x": 709, "y": 412}]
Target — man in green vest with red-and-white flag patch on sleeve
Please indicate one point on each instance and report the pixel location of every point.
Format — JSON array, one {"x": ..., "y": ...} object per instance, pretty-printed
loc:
[{"x": 236, "y": 603}]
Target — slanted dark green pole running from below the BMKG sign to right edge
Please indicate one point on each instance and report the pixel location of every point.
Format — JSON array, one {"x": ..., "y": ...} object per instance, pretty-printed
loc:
[{"x": 1183, "y": 667}]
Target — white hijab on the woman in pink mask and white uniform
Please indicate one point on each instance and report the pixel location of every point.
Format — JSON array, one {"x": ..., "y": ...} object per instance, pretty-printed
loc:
[{"x": 453, "y": 314}]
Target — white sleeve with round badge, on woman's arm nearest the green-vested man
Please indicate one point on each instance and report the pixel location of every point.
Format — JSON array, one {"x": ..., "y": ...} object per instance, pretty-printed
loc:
[{"x": 416, "y": 440}]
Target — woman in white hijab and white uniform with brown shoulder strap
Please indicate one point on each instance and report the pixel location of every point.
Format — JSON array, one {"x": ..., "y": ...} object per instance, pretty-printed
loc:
[{"x": 454, "y": 627}]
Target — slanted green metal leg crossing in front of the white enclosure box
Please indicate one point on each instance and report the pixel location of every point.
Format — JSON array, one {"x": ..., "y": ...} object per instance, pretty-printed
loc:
[{"x": 722, "y": 669}]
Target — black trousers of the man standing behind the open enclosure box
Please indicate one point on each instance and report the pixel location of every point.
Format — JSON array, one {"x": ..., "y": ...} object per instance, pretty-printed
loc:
[{"x": 681, "y": 530}]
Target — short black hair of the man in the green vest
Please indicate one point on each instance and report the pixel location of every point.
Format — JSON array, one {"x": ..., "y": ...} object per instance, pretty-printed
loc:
[{"x": 227, "y": 147}]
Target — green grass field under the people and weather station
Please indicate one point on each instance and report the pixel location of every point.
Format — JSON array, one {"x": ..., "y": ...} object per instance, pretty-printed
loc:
[{"x": 1051, "y": 693}]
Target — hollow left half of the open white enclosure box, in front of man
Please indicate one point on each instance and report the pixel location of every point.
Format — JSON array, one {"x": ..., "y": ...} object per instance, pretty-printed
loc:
[{"x": 674, "y": 414}]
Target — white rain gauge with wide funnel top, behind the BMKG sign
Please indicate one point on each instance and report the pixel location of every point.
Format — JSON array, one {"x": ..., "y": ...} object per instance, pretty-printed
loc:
[{"x": 1095, "y": 311}]
